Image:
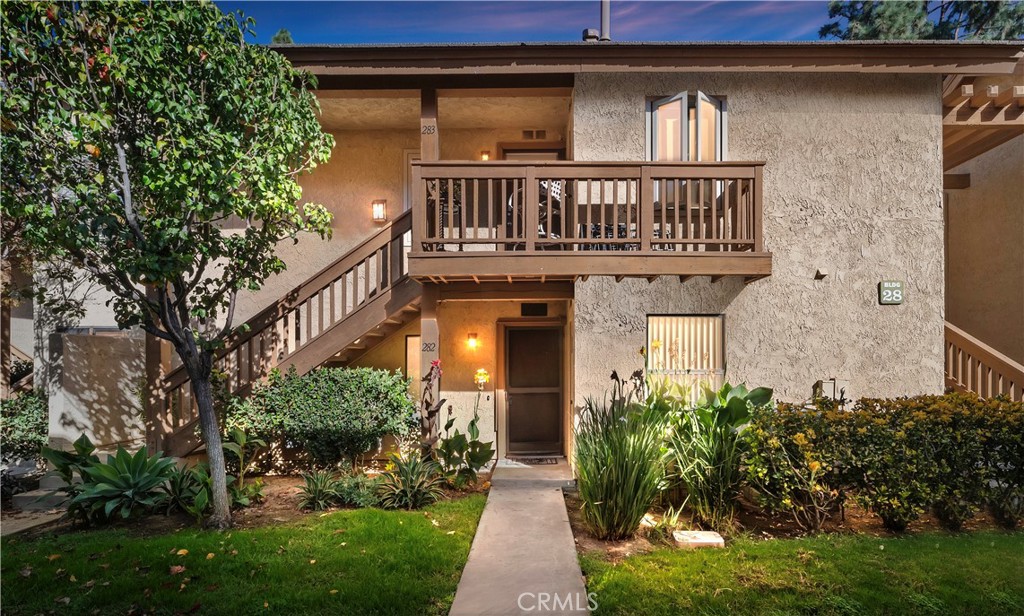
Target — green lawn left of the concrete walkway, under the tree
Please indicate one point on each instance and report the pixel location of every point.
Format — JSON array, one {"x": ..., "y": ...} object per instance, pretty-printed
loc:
[{"x": 352, "y": 562}]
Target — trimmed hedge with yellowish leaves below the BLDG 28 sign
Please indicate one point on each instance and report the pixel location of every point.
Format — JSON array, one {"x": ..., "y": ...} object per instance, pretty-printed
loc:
[{"x": 900, "y": 458}]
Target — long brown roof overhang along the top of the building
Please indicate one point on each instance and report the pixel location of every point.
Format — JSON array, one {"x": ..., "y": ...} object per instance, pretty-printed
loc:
[{"x": 465, "y": 61}]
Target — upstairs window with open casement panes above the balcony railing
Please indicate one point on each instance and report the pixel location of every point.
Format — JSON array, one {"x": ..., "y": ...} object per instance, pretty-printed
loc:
[{"x": 689, "y": 126}]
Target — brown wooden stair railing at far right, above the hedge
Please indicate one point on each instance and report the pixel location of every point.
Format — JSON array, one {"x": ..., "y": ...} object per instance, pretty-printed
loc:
[{"x": 973, "y": 366}]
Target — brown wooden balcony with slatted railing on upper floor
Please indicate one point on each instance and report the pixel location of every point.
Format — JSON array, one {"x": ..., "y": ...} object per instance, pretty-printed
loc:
[{"x": 564, "y": 221}]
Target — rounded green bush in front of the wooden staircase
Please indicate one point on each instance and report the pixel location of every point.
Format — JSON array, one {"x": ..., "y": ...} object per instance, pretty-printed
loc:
[{"x": 335, "y": 415}]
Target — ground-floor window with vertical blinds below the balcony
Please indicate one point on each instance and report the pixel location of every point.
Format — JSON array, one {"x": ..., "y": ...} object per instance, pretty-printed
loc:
[{"x": 689, "y": 350}]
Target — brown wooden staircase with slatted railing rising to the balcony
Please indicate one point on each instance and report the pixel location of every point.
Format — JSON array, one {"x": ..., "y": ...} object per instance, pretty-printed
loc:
[{"x": 333, "y": 318}]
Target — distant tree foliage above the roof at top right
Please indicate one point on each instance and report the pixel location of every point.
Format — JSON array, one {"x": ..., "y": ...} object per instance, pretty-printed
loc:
[{"x": 924, "y": 20}]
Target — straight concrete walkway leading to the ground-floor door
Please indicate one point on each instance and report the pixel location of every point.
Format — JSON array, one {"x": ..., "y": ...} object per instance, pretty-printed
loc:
[{"x": 524, "y": 560}]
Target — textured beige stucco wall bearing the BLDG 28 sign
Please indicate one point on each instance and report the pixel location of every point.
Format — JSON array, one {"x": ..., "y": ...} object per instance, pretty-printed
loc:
[{"x": 852, "y": 187}]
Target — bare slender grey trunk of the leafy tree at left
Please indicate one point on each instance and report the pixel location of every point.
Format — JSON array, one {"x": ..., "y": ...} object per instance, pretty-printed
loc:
[{"x": 199, "y": 372}]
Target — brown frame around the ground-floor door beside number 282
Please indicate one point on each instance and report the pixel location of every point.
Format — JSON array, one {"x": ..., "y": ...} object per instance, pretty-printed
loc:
[{"x": 501, "y": 391}]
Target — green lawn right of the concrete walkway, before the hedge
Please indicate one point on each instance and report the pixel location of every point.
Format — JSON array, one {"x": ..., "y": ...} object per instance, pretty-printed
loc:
[{"x": 976, "y": 575}]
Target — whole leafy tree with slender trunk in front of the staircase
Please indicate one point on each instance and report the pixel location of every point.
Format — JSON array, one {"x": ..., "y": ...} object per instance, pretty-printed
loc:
[{"x": 151, "y": 146}]
